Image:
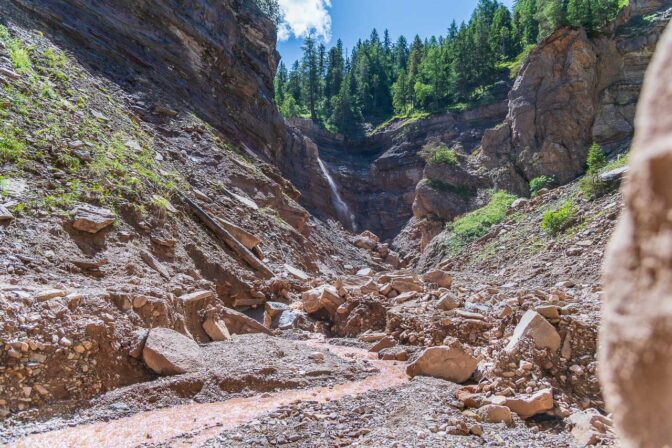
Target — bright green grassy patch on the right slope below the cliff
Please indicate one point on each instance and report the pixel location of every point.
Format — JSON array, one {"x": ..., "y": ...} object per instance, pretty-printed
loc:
[{"x": 476, "y": 224}]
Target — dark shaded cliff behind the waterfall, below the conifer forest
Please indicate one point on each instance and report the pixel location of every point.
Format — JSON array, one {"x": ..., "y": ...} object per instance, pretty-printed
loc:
[{"x": 378, "y": 175}]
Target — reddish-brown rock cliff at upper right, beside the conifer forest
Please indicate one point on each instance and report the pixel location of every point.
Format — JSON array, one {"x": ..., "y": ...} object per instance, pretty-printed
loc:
[{"x": 572, "y": 91}]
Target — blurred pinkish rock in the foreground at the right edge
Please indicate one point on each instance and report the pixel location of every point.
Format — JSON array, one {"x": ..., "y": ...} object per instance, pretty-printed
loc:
[{"x": 636, "y": 334}]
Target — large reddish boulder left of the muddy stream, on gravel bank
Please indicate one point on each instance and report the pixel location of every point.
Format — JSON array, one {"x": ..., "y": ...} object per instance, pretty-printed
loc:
[{"x": 168, "y": 352}]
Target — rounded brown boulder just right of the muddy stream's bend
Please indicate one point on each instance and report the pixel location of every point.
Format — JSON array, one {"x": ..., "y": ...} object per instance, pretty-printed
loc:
[{"x": 451, "y": 363}]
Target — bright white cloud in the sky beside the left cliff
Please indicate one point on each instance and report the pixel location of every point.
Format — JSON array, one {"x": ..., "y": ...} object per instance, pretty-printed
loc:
[{"x": 303, "y": 17}]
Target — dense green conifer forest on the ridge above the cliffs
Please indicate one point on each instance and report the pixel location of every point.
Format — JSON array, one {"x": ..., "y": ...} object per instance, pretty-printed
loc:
[{"x": 381, "y": 78}]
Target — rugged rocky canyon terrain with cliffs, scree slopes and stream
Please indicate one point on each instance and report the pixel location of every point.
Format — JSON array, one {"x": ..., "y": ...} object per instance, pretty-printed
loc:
[{"x": 177, "y": 265}]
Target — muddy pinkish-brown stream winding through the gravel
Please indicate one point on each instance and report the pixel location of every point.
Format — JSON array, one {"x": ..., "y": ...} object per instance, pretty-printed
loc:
[{"x": 194, "y": 424}]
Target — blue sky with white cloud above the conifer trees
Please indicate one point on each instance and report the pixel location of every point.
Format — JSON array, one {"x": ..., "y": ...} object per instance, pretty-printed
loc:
[{"x": 351, "y": 20}]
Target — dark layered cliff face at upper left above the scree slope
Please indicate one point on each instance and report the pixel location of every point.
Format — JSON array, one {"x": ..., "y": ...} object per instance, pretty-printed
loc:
[{"x": 216, "y": 58}]
